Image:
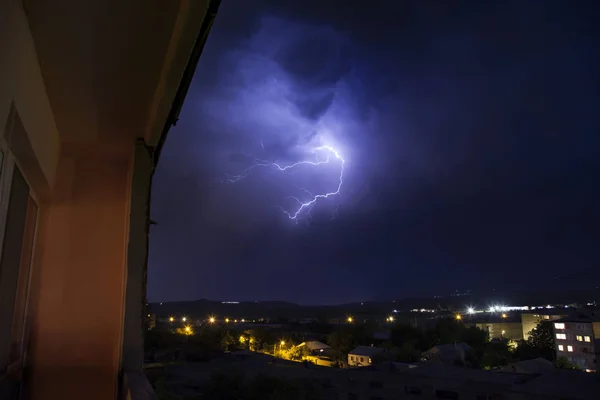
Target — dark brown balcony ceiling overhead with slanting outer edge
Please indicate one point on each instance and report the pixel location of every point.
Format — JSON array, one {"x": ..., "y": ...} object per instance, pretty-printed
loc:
[{"x": 102, "y": 62}]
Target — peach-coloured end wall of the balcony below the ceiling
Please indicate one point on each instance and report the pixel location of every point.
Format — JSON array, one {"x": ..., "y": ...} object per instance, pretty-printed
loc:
[{"x": 80, "y": 261}]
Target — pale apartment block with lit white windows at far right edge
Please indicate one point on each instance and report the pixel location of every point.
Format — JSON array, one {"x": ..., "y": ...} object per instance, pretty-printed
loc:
[{"x": 578, "y": 339}]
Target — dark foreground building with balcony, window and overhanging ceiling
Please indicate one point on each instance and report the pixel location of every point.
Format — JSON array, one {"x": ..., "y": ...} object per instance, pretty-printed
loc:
[{"x": 88, "y": 92}]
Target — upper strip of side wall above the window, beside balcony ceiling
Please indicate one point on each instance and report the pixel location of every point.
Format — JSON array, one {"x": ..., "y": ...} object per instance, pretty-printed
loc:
[{"x": 21, "y": 82}]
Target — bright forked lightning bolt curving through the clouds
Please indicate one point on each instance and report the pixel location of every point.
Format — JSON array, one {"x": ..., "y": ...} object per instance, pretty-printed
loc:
[{"x": 303, "y": 206}]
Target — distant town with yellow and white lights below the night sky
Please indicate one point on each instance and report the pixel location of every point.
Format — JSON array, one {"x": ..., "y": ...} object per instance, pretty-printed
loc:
[{"x": 376, "y": 350}]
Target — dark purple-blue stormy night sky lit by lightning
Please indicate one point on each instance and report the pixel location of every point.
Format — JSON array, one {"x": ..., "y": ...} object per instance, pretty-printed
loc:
[{"x": 469, "y": 131}]
